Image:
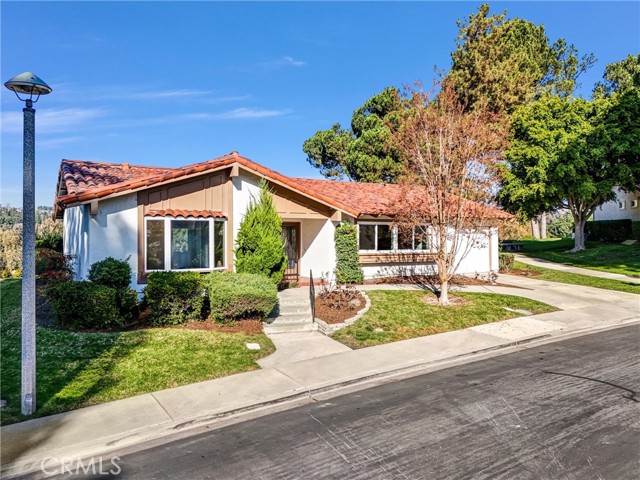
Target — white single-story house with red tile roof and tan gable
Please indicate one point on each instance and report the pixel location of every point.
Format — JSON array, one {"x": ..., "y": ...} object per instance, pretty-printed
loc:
[{"x": 188, "y": 219}]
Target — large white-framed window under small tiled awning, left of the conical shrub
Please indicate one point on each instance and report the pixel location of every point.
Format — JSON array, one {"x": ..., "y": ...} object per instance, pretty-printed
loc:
[{"x": 176, "y": 244}]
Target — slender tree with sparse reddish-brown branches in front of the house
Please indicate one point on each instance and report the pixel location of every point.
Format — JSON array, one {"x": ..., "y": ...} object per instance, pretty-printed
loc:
[{"x": 449, "y": 156}]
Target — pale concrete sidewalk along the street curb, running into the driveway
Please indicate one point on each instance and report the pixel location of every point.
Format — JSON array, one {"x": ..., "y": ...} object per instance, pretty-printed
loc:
[{"x": 114, "y": 425}]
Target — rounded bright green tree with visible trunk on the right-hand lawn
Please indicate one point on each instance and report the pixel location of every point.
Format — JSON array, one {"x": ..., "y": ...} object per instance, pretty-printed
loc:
[{"x": 570, "y": 153}]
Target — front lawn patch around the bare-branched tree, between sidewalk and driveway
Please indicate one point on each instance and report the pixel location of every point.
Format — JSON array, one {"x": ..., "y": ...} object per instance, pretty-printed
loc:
[{"x": 402, "y": 314}]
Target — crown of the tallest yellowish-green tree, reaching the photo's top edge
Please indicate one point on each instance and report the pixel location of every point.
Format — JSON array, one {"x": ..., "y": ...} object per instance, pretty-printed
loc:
[{"x": 501, "y": 63}]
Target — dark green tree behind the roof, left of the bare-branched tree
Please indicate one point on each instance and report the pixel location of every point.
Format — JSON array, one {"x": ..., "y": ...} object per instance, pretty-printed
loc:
[{"x": 363, "y": 152}]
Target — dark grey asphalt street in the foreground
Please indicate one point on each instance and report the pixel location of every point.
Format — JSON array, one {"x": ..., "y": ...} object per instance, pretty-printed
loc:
[{"x": 566, "y": 410}]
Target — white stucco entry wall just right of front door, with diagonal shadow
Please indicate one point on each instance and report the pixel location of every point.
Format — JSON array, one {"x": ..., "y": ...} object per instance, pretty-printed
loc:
[{"x": 318, "y": 248}]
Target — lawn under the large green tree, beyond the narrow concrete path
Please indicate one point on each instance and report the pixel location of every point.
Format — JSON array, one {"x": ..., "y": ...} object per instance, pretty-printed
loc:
[{"x": 613, "y": 258}]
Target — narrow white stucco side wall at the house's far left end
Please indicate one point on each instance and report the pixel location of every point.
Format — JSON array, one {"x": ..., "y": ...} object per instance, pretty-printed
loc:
[{"x": 76, "y": 238}]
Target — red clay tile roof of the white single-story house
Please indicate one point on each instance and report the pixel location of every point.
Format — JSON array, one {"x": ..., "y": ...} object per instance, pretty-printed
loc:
[{"x": 80, "y": 182}]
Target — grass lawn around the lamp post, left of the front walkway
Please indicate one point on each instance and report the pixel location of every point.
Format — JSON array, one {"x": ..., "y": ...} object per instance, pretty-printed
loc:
[{"x": 79, "y": 369}]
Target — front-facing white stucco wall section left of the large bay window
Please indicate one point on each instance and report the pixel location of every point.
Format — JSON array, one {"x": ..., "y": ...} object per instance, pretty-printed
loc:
[{"x": 113, "y": 232}]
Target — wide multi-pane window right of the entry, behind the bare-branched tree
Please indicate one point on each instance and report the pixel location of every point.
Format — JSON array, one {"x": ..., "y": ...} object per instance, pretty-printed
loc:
[{"x": 383, "y": 237}]
